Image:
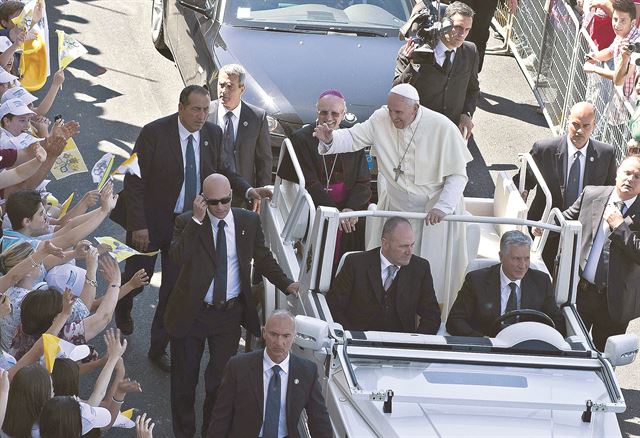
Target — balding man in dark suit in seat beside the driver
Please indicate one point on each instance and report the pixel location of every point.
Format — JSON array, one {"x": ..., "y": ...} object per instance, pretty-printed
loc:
[{"x": 383, "y": 289}]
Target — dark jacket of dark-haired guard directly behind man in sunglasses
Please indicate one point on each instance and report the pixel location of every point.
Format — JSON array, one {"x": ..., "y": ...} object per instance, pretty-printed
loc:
[{"x": 148, "y": 202}]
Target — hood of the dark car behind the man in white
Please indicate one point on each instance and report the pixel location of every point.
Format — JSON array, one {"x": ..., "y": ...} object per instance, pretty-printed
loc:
[{"x": 288, "y": 70}]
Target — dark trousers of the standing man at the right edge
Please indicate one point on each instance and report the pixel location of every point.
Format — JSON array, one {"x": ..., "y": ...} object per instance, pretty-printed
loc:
[{"x": 594, "y": 311}]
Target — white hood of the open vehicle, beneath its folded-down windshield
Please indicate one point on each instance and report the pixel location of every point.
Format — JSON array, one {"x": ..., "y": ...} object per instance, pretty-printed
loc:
[{"x": 460, "y": 401}]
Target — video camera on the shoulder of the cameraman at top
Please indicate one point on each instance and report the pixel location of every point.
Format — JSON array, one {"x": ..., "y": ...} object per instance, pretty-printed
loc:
[{"x": 425, "y": 29}]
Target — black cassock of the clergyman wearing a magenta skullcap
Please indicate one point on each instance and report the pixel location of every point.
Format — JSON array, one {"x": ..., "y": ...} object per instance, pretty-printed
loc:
[{"x": 357, "y": 177}]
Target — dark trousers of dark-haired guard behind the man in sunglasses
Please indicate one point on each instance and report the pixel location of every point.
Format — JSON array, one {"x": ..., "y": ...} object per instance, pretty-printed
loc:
[{"x": 170, "y": 271}]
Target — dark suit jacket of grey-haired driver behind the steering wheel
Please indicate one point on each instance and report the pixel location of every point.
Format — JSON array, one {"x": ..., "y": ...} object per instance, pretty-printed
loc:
[{"x": 478, "y": 303}]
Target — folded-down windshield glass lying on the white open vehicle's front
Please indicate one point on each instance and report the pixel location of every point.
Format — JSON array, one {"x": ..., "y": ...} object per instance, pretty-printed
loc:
[{"x": 467, "y": 381}]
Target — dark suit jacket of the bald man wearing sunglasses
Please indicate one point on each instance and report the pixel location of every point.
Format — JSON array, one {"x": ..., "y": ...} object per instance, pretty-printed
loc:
[{"x": 192, "y": 248}]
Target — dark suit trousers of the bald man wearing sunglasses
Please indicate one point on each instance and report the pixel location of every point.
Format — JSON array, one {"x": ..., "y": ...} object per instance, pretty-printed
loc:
[{"x": 220, "y": 329}]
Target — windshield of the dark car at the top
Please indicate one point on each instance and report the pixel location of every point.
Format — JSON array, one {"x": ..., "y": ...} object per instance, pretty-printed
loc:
[{"x": 327, "y": 15}]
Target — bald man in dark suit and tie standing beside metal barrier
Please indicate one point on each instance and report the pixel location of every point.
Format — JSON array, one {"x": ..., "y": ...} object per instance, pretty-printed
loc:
[{"x": 567, "y": 164}]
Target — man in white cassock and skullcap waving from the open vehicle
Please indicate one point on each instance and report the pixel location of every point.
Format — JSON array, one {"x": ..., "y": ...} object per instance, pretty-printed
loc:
[{"x": 422, "y": 159}]
